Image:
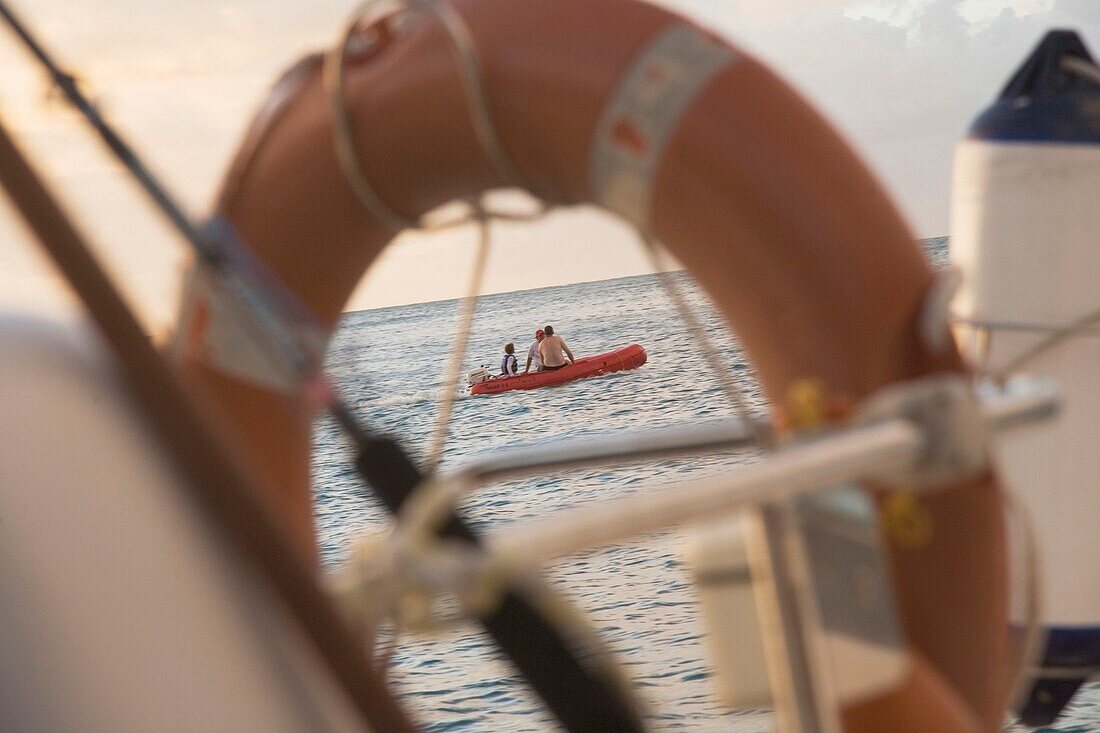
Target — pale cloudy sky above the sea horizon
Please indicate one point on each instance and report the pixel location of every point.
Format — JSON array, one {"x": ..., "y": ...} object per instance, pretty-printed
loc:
[{"x": 901, "y": 80}]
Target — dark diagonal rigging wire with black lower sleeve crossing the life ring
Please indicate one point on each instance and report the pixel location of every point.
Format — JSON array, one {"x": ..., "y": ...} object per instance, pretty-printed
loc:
[{"x": 575, "y": 690}]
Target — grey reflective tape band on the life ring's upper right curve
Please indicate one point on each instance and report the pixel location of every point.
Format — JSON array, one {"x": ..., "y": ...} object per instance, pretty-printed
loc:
[{"x": 644, "y": 114}]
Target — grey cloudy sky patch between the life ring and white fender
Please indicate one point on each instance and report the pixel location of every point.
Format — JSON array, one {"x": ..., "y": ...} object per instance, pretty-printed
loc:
[{"x": 901, "y": 80}]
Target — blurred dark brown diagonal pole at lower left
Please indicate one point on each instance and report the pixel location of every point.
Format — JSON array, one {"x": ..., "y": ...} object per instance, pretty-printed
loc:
[{"x": 219, "y": 488}]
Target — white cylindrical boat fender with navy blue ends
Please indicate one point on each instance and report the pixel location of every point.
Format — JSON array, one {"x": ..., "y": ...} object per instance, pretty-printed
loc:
[{"x": 1026, "y": 233}]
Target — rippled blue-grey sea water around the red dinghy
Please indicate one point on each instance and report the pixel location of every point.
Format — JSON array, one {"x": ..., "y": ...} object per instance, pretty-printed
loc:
[{"x": 637, "y": 596}]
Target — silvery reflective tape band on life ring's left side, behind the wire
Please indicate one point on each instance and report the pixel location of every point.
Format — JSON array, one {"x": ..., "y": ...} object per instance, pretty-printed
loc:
[{"x": 214, "y": 330}]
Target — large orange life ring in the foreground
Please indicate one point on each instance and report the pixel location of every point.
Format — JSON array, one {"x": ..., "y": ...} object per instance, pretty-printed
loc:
[{"x": 772, "y": 212}]
